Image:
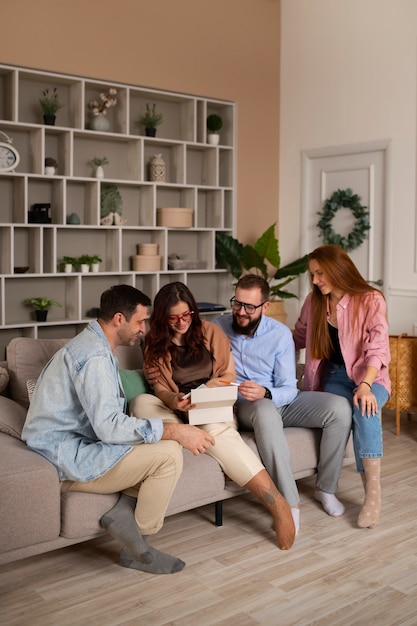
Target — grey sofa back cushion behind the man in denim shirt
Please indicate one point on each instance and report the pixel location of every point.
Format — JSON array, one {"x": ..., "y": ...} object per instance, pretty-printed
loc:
[{"x": 26, "y": 358}]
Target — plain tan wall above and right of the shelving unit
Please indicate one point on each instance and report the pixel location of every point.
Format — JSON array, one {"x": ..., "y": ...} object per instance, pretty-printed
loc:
[{"x": 220, "y": 48}]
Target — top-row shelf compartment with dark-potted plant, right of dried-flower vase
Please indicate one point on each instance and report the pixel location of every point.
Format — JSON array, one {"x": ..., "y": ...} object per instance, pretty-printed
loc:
[{"x": 178, "y": 114}]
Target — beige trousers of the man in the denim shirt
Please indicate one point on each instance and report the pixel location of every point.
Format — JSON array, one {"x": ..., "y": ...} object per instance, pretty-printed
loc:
[{"x": 148, "y": 472}]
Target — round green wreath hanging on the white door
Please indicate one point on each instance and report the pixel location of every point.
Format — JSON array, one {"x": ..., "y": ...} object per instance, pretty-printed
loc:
[{"x": 349, "y": 200}]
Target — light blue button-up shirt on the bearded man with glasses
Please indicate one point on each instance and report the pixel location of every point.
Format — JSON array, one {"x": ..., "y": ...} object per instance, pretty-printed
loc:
[{"x": 267, "y": 357}]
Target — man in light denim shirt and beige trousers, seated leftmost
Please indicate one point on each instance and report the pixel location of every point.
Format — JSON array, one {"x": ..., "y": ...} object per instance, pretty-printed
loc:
[{"x": 77, "y": 420}]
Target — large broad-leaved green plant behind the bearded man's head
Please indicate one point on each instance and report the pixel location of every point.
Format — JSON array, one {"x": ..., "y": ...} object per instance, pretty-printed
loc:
[{"x": 261, "y": 258}]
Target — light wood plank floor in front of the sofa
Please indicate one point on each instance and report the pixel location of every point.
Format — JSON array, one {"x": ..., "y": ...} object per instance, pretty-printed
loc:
[{"x": 335, "y": 574}]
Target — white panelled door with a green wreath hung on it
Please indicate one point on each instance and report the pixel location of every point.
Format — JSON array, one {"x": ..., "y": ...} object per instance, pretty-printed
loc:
[{"x": 362, "y": 168}]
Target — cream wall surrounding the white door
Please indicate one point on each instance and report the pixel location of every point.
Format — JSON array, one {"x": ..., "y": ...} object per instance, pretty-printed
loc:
[{"x": 349, "y": 75}]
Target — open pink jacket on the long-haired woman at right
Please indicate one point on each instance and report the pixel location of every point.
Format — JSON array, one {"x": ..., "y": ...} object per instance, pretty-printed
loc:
[{"x": 368, "y": 346}]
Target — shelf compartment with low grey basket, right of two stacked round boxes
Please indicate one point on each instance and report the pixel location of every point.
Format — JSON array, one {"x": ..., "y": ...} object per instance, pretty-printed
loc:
[{"x": 192, "y": 245}]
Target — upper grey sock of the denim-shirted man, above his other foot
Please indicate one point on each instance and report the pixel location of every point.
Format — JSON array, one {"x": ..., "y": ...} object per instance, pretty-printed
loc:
[{"x": 120, "y": 522}]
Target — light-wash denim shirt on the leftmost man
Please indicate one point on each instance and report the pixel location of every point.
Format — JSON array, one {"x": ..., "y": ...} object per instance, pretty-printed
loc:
[{"x": 77, "y": 417}]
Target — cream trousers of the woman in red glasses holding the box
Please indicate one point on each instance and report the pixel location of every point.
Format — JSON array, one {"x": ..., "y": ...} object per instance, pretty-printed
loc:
[{"x": 235, "y": 458}]
